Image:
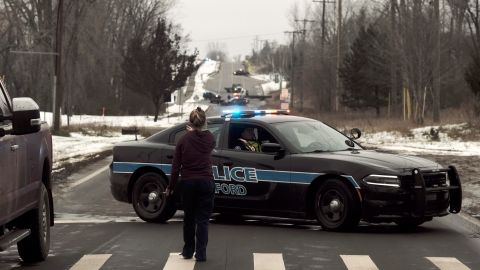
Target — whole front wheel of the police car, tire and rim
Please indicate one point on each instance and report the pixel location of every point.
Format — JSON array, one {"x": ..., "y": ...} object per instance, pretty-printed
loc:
[{"x": 335, "y": 207}]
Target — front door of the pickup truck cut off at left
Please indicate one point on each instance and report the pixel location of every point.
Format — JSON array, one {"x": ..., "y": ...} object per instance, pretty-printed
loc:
[{"x": 8, "y": 163}]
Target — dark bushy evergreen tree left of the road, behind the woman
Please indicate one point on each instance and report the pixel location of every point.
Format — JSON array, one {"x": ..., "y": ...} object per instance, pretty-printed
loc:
[{"x": 155, "y": 64}]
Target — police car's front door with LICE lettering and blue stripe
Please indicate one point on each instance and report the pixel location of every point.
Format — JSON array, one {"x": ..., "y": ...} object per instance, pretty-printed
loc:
[{"x": 251, "y": 180}]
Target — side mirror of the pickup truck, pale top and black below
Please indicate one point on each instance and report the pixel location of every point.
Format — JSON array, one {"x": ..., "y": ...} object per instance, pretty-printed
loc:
[{"x": 26, "y": 116}]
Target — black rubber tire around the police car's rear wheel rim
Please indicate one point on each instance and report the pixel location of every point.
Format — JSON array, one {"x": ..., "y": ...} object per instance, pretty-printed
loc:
[{"x": 167, "y": 209}]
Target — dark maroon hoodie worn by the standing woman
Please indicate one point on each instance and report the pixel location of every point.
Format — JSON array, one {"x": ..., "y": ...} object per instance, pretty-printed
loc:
[{"x": 193, "y": 157}]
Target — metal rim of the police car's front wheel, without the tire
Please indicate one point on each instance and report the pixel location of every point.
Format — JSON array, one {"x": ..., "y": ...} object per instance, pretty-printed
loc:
[{"x": 331, "y": 207}]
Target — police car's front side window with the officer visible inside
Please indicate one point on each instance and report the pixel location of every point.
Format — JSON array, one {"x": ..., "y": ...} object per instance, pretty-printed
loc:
[{"x": 258, "y": 136}]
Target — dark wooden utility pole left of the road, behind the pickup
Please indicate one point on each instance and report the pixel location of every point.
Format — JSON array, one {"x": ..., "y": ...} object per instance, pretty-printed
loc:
[{"x": 58, "y": 81}]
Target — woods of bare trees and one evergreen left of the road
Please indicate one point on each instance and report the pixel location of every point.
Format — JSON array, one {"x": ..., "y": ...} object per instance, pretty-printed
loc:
[{"x": 102, "y": 44}]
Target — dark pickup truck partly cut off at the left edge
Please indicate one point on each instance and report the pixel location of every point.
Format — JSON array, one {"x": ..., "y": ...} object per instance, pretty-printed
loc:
[{"x": 26, "y": 205}]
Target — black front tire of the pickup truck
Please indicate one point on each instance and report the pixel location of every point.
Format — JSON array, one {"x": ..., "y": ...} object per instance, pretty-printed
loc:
[{"x": 35, "y": 247}]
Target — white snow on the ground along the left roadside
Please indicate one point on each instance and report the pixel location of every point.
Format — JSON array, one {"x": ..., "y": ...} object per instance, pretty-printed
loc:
[{"x": 79, "y": 147}]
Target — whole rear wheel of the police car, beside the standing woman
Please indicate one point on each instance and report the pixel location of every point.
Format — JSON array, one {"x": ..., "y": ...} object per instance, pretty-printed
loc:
[{"x": 149, "y": 201}]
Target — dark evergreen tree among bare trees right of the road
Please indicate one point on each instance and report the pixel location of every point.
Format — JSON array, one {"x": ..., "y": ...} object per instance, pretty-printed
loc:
[{"x": 365, "y": 71}]
